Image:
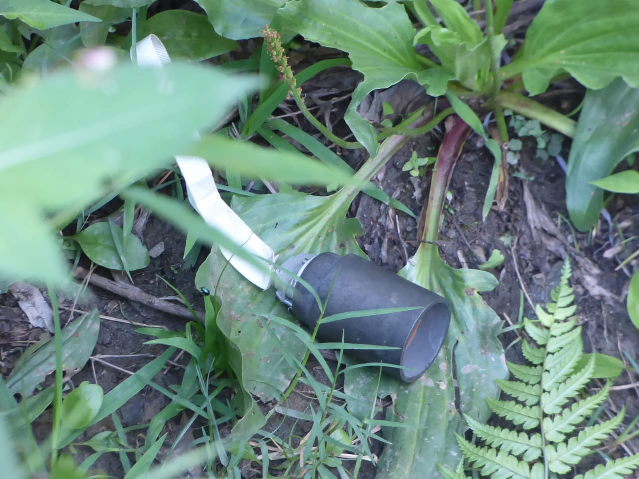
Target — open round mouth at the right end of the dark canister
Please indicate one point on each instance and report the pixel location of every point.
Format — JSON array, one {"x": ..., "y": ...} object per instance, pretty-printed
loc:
[{"x": 425, "y": 341}]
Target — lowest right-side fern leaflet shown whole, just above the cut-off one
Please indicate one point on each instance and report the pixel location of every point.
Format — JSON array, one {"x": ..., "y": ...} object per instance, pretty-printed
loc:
[{"x": 562, "y": 454}]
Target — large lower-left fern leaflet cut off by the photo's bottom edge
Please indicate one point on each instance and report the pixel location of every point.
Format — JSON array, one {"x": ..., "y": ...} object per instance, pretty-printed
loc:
[{"x": 498, "y": 465}]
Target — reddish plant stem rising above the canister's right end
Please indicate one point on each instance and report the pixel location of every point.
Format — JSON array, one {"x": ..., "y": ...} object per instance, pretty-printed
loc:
[{"x": 457, "y": 132}]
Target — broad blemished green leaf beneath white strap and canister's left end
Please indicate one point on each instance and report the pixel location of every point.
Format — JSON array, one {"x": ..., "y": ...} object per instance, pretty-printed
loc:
[{"x": 291, "y": 223}]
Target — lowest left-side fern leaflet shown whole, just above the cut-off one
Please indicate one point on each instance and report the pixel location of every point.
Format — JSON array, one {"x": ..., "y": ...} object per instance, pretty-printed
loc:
[{"x": 506, "y": 440}]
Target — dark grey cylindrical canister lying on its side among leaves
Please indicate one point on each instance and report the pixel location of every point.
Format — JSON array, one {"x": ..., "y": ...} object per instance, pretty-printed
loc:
[{"x": 351, "y": 283}]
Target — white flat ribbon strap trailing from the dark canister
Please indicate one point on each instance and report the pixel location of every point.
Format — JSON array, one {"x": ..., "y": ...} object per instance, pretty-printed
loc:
[{"x": 203, "y": 194}]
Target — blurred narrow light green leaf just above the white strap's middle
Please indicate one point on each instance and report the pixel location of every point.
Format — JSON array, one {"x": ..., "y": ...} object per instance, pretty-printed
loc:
[{"x": 251, "y": 161}]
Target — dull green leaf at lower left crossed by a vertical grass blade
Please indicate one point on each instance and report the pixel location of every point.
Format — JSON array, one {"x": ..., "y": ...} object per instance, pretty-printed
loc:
[{"x": 78, "y": 340}]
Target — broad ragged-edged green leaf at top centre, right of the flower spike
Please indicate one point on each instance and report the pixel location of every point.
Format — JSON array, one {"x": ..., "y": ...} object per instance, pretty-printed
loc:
[{"x": 383, "y": 59}]
